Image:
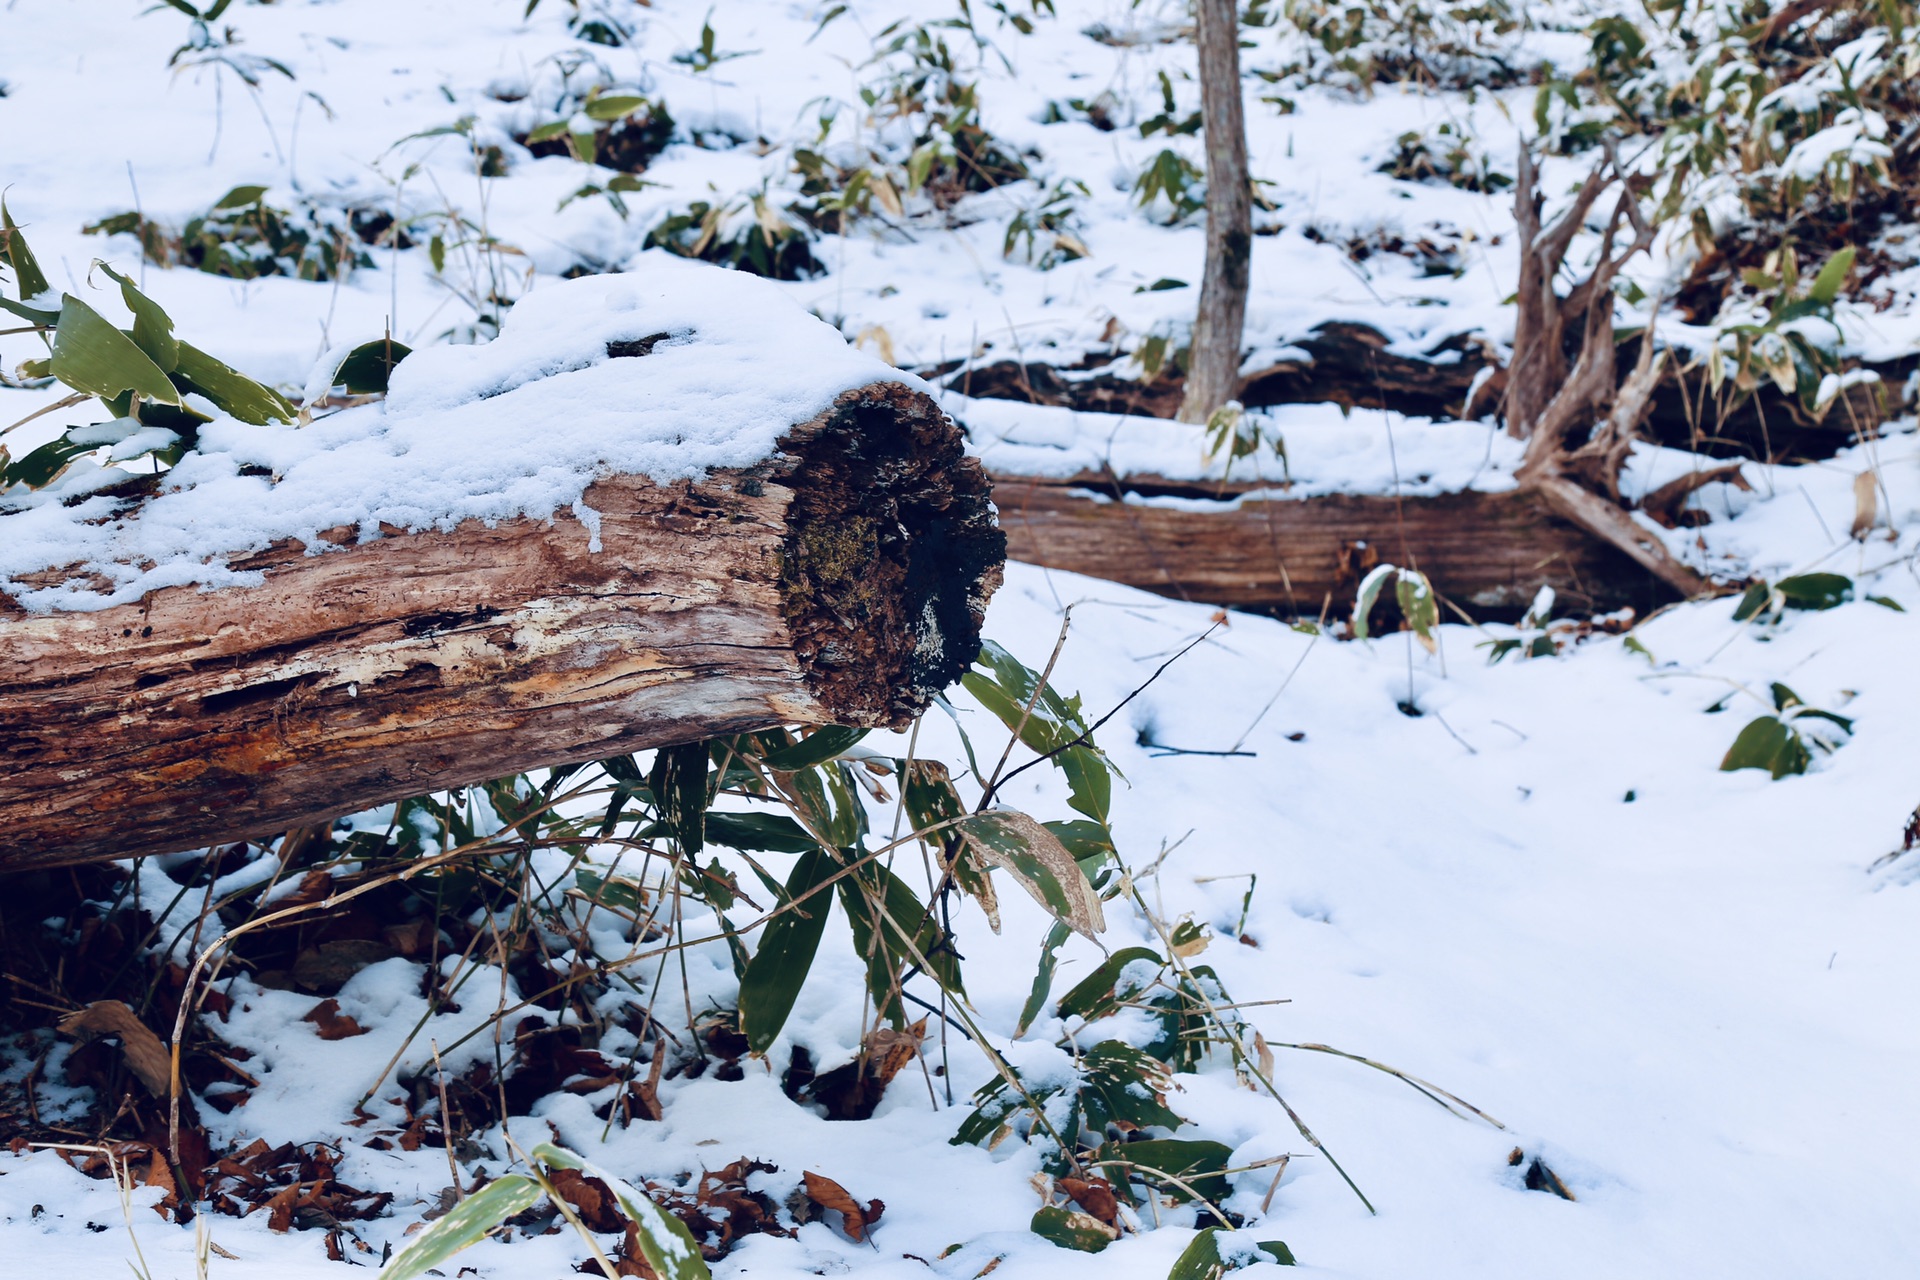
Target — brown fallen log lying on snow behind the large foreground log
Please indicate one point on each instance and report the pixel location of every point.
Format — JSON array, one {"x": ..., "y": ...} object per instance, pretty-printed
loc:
[{"x": 1226, "y": 544}]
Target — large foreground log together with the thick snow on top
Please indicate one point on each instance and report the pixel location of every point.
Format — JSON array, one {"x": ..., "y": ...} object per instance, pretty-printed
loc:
[{"x": 656, "y": 510}]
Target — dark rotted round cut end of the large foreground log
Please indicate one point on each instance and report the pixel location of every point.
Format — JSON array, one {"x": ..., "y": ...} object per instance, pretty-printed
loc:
[{"x": 892, "y": 556}]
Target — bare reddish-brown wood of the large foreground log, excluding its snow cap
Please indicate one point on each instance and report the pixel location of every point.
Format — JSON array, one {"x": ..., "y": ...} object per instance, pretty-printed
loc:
[{"x": 840, "y": 582}]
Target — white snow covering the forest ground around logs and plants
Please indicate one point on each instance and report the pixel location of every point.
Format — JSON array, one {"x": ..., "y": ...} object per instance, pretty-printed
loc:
[{"x": 1683, "y": 989}]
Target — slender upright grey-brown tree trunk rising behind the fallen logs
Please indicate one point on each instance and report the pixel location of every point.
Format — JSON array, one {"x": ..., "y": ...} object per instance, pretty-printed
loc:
[{"x": 1214, "y": 362}]
